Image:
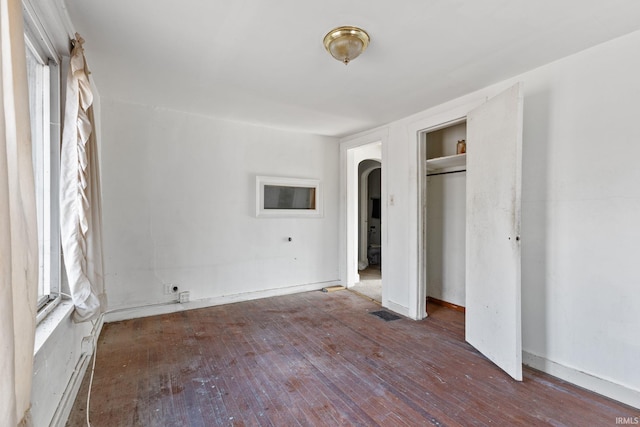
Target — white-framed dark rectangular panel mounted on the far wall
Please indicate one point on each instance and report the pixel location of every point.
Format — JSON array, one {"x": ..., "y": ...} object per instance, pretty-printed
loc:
[{"x": 288, "y": 197}]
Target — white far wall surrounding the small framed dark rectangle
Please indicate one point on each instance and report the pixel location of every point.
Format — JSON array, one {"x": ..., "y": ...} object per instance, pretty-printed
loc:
[{"x": 179, "y": 207}]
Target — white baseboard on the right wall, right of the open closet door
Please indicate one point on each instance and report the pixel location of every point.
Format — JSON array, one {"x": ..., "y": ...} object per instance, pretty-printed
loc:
[{"x": 582, "y": 379}]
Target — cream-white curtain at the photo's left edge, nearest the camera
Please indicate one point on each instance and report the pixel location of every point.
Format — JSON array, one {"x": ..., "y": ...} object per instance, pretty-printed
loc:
[{"x": 18, "y": 225}]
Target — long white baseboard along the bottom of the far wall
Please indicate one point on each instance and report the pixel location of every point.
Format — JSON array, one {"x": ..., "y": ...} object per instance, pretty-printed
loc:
[{"x": 126, "y": 313}]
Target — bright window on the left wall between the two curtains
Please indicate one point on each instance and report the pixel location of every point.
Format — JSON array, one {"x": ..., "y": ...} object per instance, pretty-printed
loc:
[{"x": 43, "y": 83}]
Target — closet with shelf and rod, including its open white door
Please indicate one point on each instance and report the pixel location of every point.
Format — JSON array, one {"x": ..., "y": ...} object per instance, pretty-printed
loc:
[{"x": 470, "y": 230}]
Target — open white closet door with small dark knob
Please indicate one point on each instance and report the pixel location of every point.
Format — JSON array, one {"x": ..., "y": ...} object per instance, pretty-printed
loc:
[{"x": 494, "y": 160}]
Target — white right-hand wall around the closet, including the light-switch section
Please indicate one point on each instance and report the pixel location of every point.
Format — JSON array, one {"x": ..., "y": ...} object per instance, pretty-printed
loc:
[{"x": 581, "y": 204}]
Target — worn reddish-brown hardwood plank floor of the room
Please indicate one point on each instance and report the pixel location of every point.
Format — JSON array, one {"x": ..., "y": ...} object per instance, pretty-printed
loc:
[{"x": 316, "y": 359}]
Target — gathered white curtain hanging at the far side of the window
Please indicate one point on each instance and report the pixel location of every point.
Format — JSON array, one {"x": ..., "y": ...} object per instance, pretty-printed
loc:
[{"x": 80, "y": 204}]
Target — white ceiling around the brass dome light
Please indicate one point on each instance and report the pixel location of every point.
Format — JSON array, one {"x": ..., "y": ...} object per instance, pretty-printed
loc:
[{"x": 263, "y": 62}]
